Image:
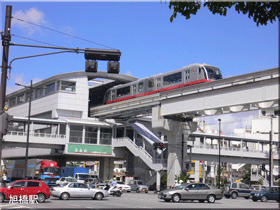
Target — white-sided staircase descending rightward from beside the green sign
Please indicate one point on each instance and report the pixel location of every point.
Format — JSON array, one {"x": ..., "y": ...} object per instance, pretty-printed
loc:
[{"x": 138, "y": 151}]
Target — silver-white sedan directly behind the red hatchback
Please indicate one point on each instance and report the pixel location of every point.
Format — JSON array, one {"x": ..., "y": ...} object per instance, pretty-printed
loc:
[{"x": 78, "y": 190}]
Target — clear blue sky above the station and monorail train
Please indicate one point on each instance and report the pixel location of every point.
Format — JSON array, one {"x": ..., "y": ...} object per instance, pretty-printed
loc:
[{"x": 149, "y": 42}]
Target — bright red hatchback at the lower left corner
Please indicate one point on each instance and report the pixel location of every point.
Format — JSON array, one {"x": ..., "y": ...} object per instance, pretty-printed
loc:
[{"x": 29, "y": 188}]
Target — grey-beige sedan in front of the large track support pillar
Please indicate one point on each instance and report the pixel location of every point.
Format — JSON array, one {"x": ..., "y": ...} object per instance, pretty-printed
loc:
[{"x": 194, "y": 191}]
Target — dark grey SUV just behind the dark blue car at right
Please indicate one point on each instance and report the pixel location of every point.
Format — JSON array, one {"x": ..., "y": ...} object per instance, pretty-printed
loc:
[{"x": 237, "y": 189}]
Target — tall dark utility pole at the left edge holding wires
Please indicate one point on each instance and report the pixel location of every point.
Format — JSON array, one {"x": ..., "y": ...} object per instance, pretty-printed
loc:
[{"x": 6, "y": 38}]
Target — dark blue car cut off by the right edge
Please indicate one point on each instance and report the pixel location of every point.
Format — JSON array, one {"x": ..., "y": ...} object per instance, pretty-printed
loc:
[{"x": 269, "y": 193}]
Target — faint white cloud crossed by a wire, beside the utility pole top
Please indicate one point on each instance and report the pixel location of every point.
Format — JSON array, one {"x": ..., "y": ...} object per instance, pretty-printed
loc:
[{"x": 32, "y": 15}]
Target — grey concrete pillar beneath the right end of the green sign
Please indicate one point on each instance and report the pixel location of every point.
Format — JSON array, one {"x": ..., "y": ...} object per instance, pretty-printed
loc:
[{"x": 106, "y": 168}]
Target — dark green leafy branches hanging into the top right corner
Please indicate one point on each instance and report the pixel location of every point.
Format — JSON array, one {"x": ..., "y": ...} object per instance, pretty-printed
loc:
[{"x": 262, "y": 12}]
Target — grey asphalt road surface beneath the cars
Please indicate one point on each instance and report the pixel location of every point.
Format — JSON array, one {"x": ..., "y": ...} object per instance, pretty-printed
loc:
[{"x": 141, "y": 201}]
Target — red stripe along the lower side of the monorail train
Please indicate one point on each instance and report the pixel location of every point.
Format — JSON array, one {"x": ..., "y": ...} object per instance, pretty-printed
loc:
[{"x": 160, "y": 90}]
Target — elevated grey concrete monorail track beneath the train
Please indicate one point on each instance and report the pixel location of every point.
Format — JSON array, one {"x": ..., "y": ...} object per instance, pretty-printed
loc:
[{"x": 257, "y": 90}]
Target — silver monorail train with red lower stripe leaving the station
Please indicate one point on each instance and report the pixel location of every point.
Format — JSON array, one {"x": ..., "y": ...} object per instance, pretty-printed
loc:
[{"x": 186, "y": 76}]
